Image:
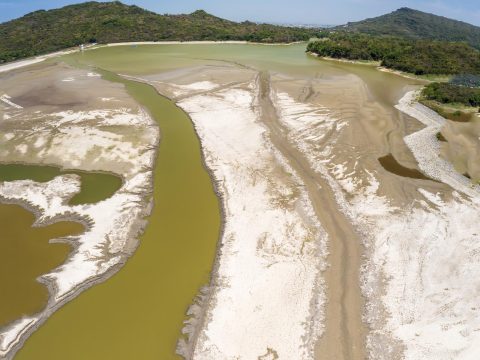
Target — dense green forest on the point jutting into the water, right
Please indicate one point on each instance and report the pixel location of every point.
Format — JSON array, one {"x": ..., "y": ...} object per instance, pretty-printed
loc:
[{"x": 420, "y": 57}]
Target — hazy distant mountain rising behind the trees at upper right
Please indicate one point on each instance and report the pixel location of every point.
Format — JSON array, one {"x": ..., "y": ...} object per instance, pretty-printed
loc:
[{"x": 416, "y": 24}]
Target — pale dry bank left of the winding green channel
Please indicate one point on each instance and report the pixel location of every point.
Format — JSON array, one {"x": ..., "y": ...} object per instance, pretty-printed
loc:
[{"x": 67, "y": 124}]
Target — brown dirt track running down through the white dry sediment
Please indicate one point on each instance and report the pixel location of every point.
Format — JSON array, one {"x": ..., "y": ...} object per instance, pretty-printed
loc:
[{"x": 344, "y": 337}]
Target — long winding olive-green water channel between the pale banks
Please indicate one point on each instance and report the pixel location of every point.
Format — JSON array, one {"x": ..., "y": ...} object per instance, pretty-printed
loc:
[{"x": 142, "y": 308}]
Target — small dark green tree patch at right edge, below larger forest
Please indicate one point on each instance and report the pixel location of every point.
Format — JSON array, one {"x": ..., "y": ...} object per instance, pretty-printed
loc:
[{"x": 452, "y": 94}]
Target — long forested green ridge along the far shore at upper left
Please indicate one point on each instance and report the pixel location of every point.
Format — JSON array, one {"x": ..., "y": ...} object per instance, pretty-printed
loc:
[{"x": 105, "y": 22}]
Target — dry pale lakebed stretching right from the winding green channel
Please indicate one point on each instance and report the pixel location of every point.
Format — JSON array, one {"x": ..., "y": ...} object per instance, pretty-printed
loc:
[{"x": 392, "y": 258}]
